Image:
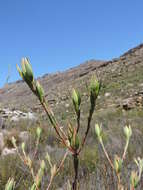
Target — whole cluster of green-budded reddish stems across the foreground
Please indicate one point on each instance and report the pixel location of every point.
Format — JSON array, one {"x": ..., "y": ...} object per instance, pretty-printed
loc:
[{"x": 70, "y": 137}]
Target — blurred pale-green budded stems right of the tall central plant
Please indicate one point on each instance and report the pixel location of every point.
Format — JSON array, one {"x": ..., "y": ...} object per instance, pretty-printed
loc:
[{"x": 117, "y": 163}]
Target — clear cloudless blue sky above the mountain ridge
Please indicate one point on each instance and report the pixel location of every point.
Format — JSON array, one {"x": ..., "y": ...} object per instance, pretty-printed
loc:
[{"x": 59, "y": 34}]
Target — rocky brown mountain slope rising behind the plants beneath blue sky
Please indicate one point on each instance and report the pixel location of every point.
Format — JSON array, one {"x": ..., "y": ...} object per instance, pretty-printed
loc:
[{"x": 122, "y": 77}]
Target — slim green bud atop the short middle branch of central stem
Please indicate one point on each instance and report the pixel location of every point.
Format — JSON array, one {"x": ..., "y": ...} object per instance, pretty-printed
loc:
[{"x": 76, "y": 99}]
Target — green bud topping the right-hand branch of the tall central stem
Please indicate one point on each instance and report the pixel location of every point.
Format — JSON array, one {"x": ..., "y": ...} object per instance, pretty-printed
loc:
[{"x": 94, "y": 89}]
